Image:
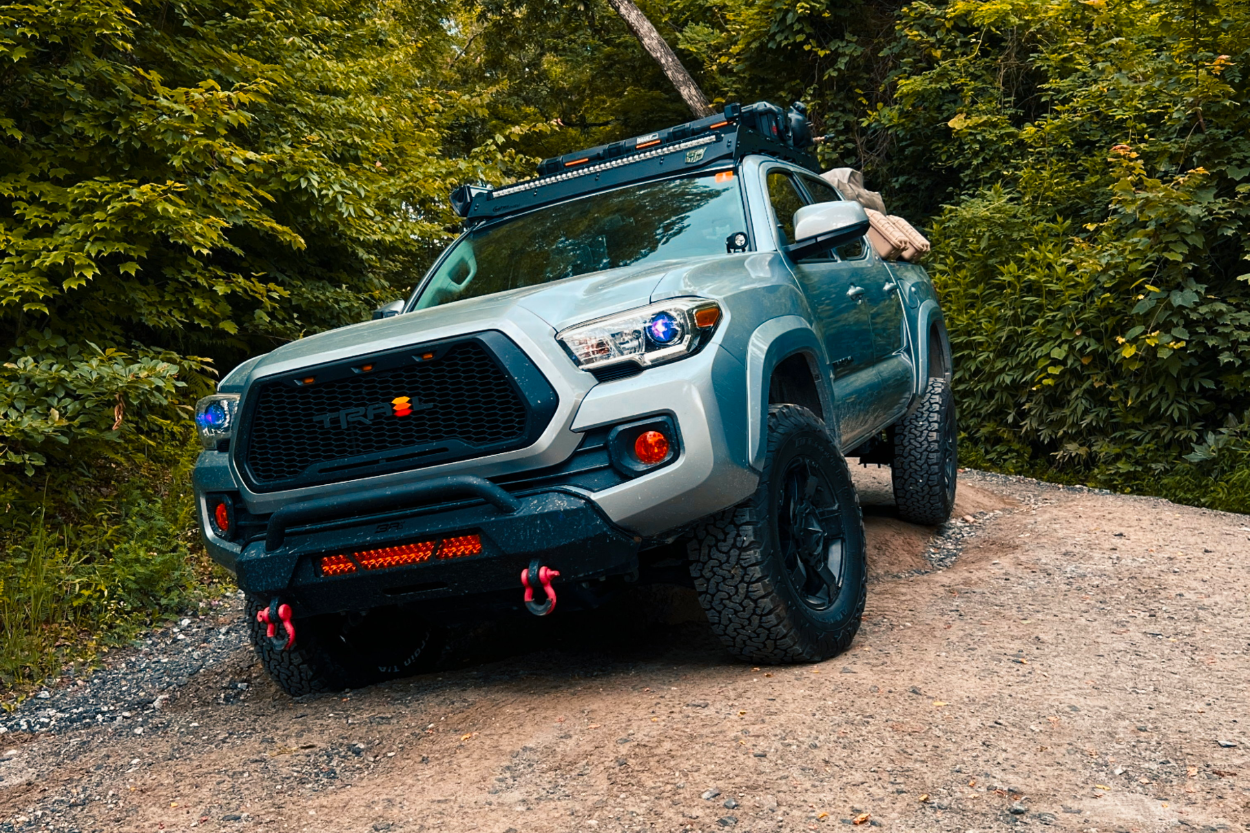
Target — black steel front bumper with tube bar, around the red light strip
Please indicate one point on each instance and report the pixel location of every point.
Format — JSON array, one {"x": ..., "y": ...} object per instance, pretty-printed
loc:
[{"x": 564, "y": 531}]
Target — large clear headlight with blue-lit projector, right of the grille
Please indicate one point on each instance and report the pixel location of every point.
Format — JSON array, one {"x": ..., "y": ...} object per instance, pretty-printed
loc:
[{"x": 648, "y": 336}]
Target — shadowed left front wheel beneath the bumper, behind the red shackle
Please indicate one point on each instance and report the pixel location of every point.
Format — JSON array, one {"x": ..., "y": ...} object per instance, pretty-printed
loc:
[{"x": 344, "y": 651}]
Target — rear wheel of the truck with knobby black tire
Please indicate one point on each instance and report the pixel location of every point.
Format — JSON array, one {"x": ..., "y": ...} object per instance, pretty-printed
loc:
[{"x": 926, "y": 458}]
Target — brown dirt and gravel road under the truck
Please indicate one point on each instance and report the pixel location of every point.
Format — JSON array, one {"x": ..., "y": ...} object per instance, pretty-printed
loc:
[{"x": 1069, "y": 661}]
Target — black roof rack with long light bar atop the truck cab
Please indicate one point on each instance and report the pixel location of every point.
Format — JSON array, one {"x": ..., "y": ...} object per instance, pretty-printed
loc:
[{"x": 739, "y": 131}]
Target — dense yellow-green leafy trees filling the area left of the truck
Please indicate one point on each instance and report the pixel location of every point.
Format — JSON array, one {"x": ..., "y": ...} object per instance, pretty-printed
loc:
[{"x": 204, "y": 178}]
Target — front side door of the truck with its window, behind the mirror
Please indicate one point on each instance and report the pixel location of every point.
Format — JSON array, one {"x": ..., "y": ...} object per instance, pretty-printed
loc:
[{"x": 841, "y": 313}]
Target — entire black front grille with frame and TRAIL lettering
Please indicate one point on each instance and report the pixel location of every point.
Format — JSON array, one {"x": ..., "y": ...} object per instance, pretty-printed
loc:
[{"x": 343, "y": 422}]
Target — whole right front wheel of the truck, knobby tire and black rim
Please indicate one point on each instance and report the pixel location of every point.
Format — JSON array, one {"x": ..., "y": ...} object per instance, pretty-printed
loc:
[{"x": 782, "y": 576}]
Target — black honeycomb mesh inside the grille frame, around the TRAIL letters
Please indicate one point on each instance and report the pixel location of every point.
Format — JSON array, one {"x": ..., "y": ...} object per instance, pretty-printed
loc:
[{"x": 466, "y": 393}]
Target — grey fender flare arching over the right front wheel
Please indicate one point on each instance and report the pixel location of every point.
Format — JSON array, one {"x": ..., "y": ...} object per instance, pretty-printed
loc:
[{"x": 772, "y": 343}]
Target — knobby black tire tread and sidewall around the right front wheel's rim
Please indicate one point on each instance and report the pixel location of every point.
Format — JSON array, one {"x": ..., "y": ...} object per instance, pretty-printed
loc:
[{"x": 738, "y": 562}]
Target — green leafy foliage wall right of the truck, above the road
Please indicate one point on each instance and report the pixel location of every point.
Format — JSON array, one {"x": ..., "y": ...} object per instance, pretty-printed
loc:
[{"x": 1091, "y": 253}]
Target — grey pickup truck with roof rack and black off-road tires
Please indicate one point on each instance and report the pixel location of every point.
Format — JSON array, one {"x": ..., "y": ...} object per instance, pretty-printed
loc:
[{"x": 648, "y": 365}]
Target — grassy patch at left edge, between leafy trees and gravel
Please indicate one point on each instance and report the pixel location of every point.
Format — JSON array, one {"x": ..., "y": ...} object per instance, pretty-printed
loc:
[{"x": 72, "y": 587}]
